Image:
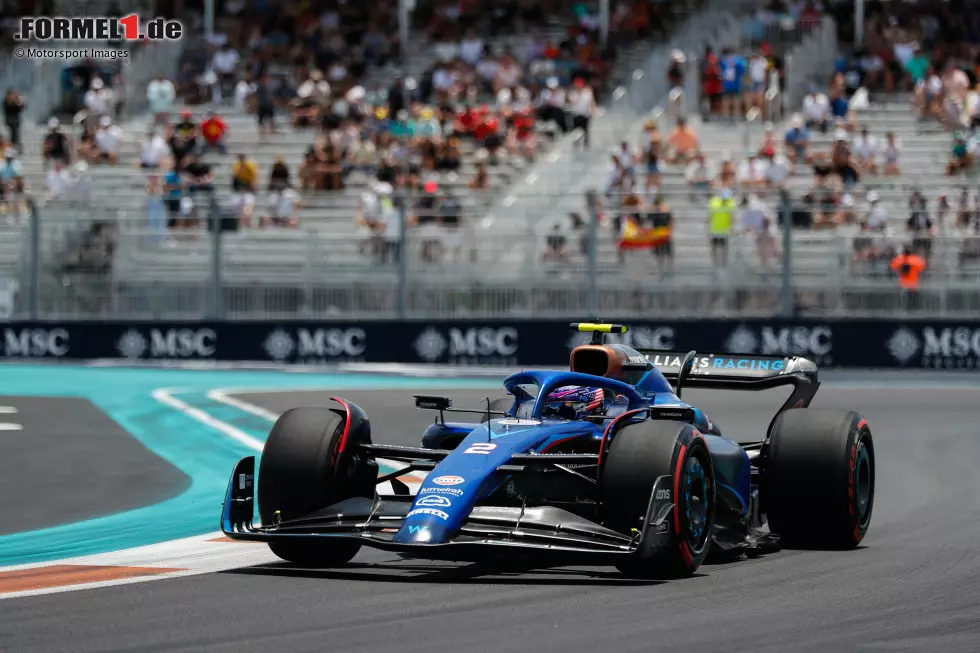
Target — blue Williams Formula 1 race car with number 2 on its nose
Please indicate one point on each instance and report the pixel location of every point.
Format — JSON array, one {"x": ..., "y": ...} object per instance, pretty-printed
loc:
[{"x": 600, "y": 464}]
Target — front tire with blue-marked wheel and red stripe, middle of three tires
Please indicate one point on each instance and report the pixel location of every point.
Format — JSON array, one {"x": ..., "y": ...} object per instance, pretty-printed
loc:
[{"x": 636, "y": 456}]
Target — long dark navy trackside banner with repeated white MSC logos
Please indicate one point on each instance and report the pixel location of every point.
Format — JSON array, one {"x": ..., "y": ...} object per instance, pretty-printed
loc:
[{"x": 932, "y": 344}]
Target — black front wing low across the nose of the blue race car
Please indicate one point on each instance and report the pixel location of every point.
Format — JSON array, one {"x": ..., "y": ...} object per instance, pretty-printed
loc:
[{"x": 489, "y": 530}]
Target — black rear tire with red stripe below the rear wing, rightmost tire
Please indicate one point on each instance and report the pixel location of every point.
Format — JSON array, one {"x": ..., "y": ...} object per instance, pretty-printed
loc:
[{"x": 818, "y": 487}]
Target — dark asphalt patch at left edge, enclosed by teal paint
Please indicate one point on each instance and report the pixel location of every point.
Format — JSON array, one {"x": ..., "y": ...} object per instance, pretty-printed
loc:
[{"x": 72, "y": 462}]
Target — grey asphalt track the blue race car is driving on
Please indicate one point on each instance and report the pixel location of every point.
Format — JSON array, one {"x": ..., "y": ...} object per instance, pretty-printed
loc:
[{"x": 913, "y": 585}]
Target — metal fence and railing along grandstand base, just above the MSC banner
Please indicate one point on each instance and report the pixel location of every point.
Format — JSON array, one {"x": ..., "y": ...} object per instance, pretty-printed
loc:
[{"x": 63, "y": 262}]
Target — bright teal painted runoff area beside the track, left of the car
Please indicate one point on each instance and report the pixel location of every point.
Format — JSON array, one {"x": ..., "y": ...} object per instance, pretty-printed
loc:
[{"x": 203, "y": 453}]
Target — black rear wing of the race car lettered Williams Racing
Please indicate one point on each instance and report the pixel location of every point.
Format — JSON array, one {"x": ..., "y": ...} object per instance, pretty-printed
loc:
[{"x": 738, "y": 372}]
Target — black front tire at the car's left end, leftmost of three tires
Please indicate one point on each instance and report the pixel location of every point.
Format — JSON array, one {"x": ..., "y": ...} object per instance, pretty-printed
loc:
[{"x": 306, "y": 465}]
